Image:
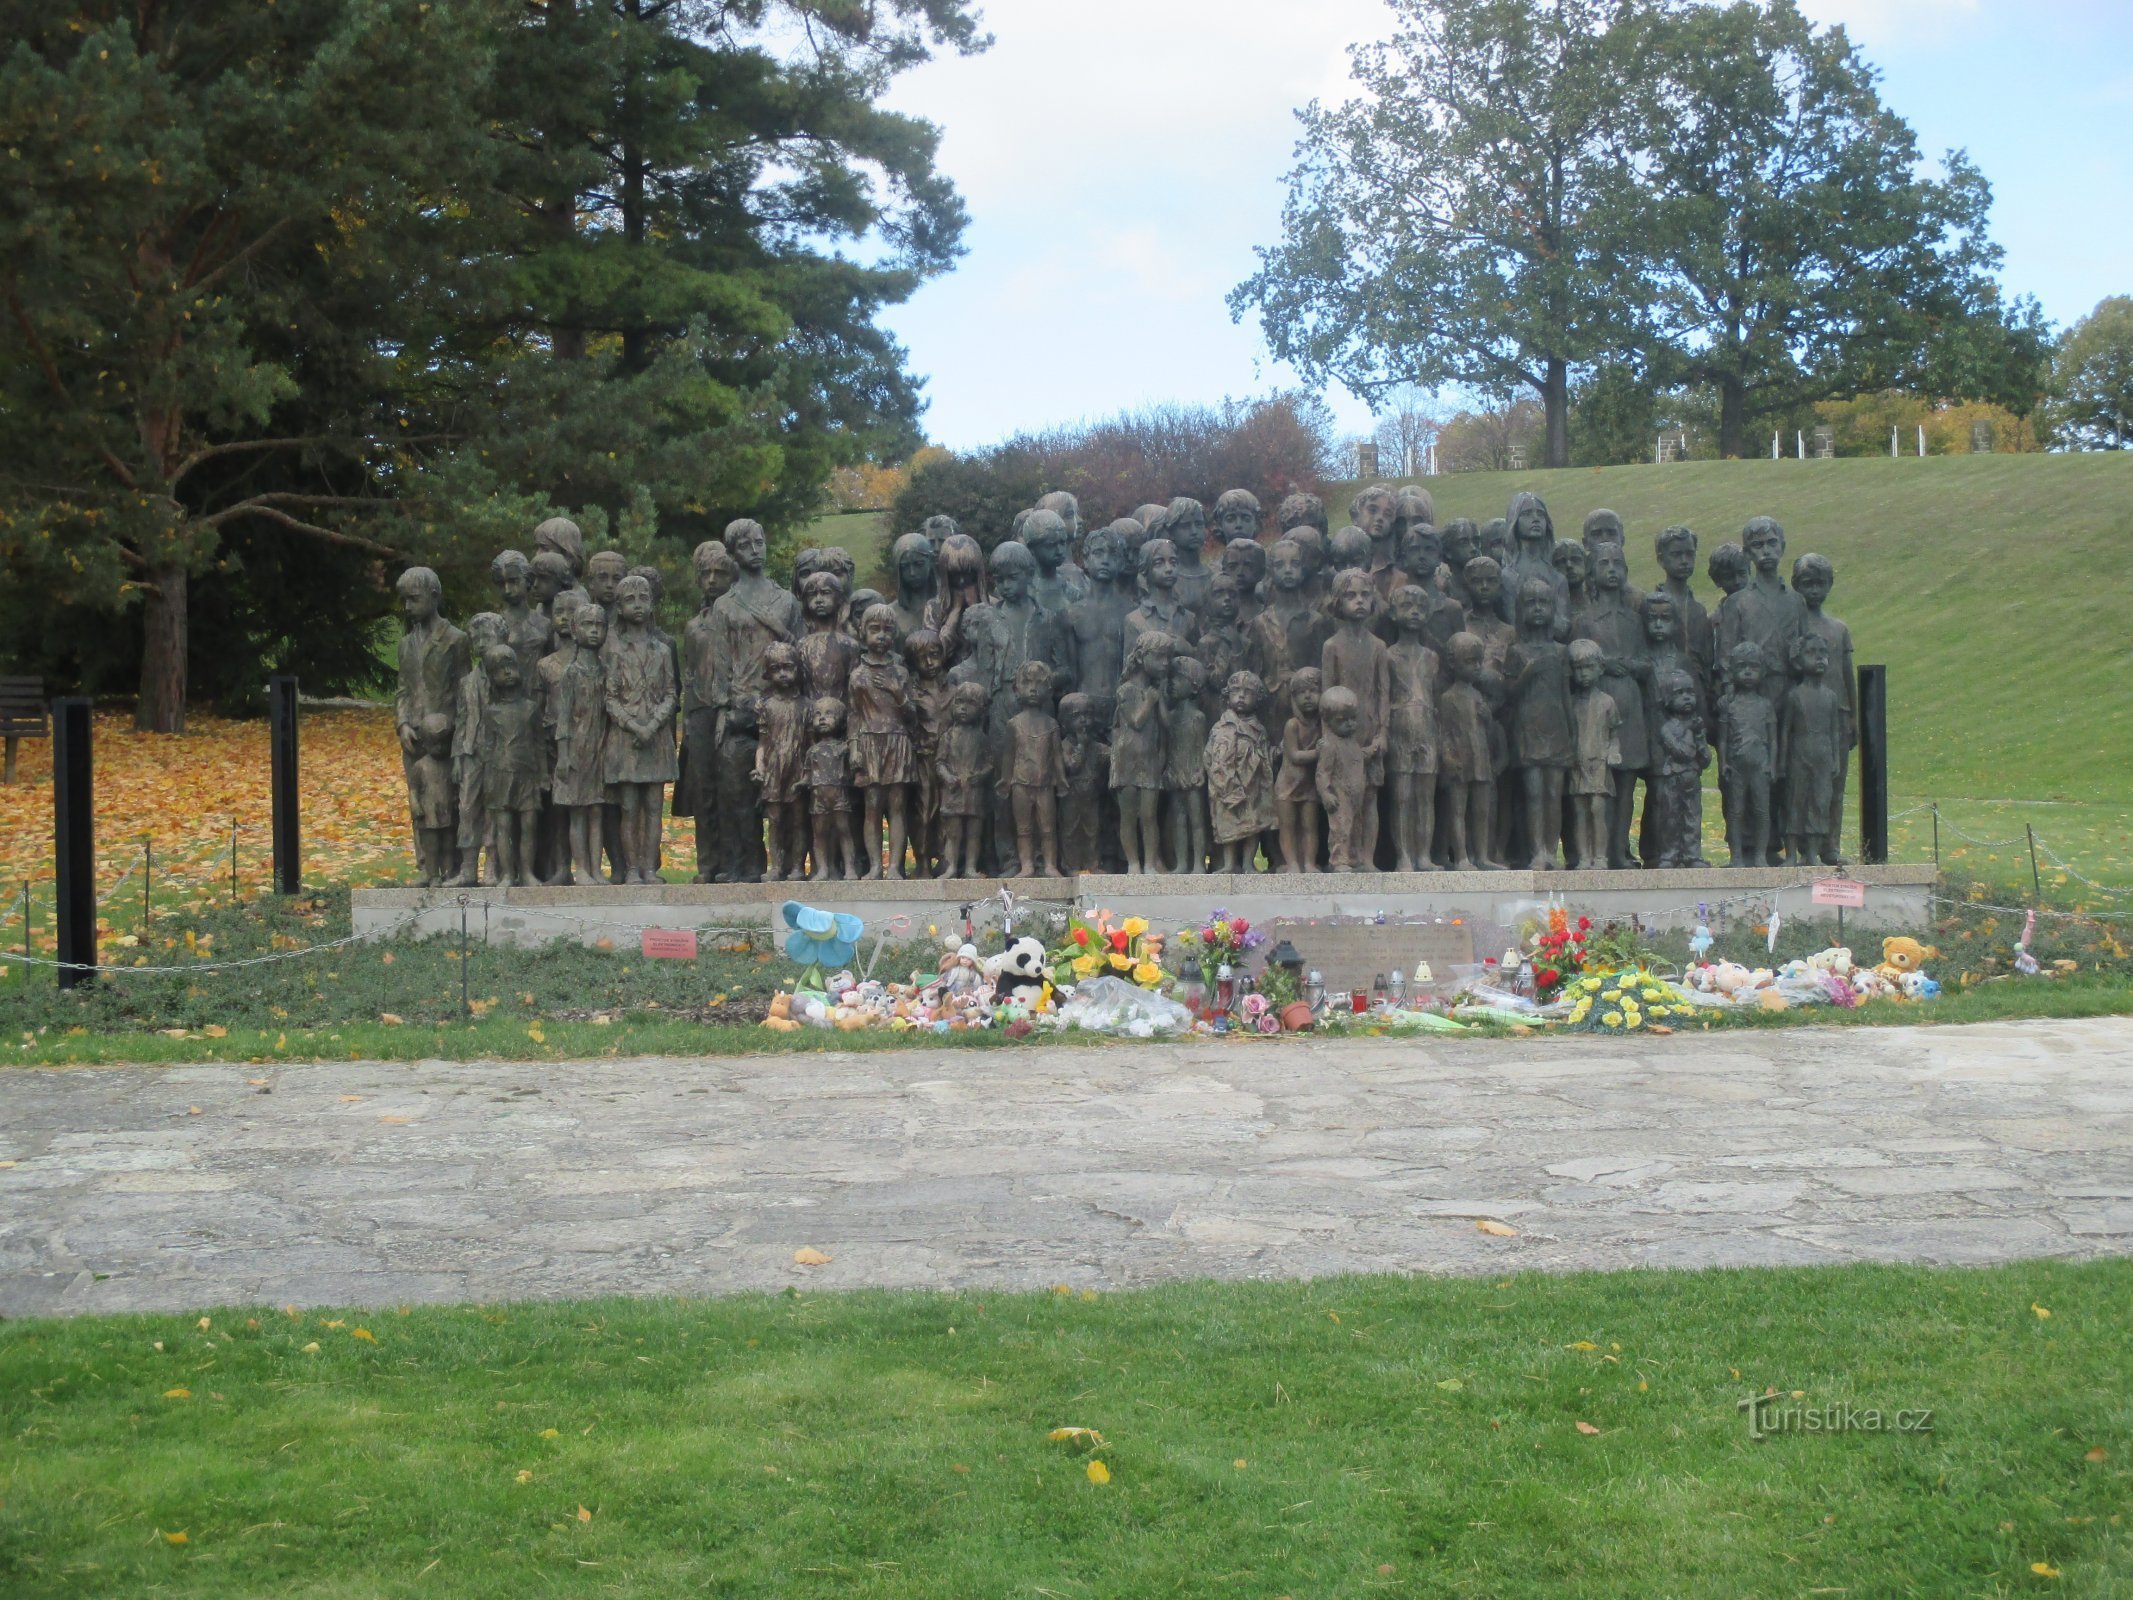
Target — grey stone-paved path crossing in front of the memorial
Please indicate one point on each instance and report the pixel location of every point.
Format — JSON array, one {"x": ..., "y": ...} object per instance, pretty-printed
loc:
[{"x": 374, "y": 1183}]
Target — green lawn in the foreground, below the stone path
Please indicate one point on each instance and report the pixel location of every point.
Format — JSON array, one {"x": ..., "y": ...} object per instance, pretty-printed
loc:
[{"x": 1349, "y": 1437}]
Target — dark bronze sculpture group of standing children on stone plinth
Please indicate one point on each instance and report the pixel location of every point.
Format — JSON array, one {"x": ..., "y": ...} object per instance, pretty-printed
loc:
[{"x": 1151, "y": 697}]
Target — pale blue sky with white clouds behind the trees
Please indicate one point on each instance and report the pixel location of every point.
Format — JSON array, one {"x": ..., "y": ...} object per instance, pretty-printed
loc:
[{"x": 1123, "y": 157}]
